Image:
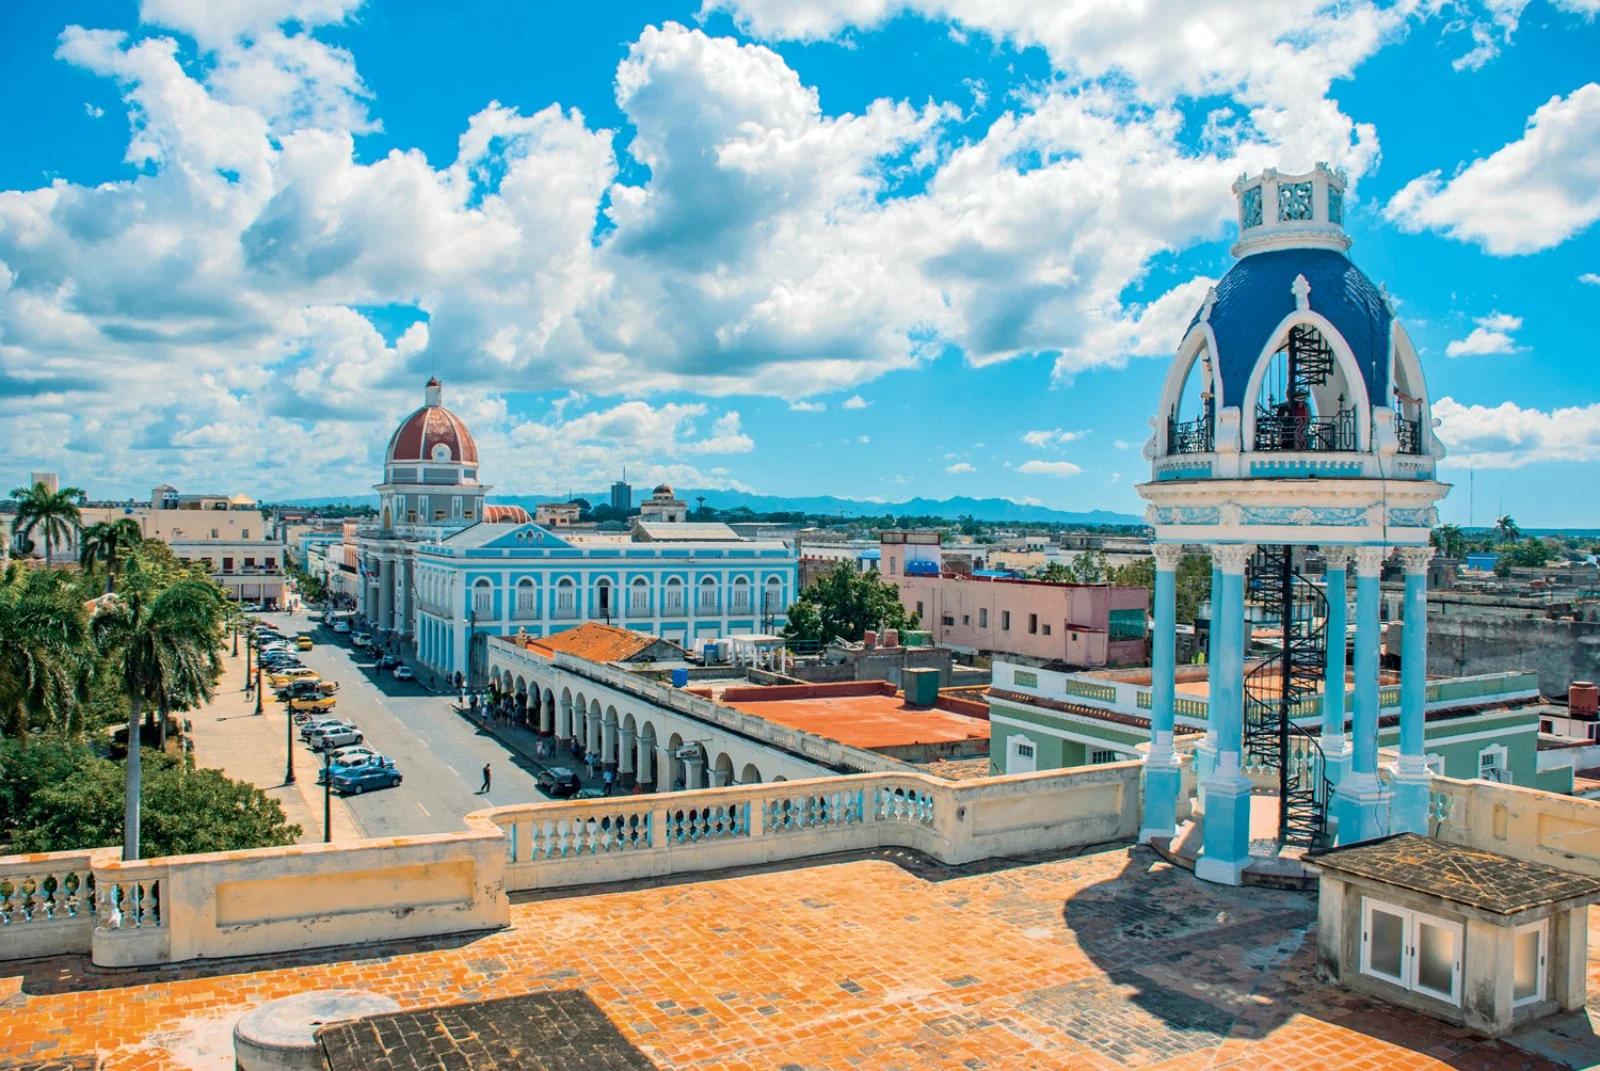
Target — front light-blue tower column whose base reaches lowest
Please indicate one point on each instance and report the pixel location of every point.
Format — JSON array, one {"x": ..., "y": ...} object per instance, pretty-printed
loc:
[{"x": 1226, "y": 832}]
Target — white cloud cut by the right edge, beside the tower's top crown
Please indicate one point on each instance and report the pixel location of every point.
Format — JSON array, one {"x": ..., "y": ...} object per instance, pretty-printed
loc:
[{"x": 1529, "y": 196}]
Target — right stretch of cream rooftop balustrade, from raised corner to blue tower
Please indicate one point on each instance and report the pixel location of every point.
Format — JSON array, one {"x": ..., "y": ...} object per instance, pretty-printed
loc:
[{"x": 631, "y": 838}]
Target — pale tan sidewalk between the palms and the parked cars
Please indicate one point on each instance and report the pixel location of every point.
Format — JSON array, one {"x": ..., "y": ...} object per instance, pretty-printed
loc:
[{"x": 230, "y": 737}]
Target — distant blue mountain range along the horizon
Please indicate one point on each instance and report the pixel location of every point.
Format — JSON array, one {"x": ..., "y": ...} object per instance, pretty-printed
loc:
[{"x": 993, "y": 510}]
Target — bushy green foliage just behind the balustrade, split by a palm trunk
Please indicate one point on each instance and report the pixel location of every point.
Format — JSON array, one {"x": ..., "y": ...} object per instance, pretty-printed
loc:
[{"x": 183, "y": 811}]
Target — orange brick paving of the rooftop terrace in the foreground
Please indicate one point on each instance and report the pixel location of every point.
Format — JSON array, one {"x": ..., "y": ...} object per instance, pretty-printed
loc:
[{"x": 1105, "y": 961}]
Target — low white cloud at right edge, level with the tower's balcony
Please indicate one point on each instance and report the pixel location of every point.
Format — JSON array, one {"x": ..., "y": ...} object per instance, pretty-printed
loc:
[{"x": 1508, "y": 436}]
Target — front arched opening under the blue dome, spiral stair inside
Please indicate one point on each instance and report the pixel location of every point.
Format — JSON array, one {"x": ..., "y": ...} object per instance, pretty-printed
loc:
[{"x": 1303, "y": 401}]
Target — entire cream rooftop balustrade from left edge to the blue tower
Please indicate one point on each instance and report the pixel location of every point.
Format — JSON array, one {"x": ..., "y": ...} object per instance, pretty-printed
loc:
[{"x": 278, "y": 901}]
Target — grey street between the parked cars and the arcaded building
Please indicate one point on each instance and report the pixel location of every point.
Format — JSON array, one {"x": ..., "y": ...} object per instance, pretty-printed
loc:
[{"x": 439, "y": 752}]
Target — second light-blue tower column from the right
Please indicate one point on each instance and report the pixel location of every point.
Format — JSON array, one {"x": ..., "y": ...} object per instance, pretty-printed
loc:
[{"x": 1359, "y": 800}]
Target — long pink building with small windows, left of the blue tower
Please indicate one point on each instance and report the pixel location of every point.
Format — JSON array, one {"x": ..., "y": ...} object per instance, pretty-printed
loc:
[{"x": 1081, "y": 625}]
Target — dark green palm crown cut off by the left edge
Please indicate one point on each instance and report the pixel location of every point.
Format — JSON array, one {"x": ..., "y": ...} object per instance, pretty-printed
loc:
[{"x": 42, "y": 651}]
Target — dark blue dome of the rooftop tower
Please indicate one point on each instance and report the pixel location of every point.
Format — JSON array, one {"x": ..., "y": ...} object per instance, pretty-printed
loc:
[{"x": 1257, "y": 294}]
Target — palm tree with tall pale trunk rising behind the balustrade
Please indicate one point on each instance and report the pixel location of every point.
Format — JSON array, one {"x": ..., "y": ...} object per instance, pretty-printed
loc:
[{"x": 169, "y": 646}]
